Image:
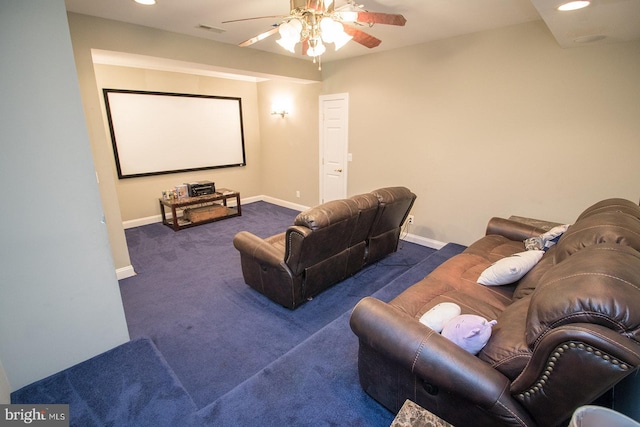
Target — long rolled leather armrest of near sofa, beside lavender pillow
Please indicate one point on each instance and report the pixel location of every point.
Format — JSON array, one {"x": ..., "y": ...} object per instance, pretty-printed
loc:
[{"x": 427, "y": 354}]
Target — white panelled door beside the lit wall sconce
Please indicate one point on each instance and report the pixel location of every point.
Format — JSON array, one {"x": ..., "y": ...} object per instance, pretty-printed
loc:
[{"x": 334, "y": 144}]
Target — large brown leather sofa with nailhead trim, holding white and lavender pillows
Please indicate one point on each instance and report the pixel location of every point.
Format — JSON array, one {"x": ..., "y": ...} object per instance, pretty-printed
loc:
[{"x": 566, "y": 332}]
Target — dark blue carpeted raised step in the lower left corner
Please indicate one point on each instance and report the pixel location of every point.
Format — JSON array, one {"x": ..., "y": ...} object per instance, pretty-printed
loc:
[{"x": 130, "y": 385}]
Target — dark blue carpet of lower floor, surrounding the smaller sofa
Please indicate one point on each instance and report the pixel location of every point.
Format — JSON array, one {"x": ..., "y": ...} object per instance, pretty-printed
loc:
[{"x": 214, "y": 330}]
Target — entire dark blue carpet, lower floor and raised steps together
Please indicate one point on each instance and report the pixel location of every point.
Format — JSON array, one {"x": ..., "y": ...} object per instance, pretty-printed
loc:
[{"x": 220, "y": 353}]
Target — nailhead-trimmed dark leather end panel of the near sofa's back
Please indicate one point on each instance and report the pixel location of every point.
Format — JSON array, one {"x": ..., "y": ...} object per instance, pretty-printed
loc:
[{"x": 571, "y": 366}]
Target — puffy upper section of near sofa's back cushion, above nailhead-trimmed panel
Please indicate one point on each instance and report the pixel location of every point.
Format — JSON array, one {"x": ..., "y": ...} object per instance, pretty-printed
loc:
[{"x": 599, "y": 284}]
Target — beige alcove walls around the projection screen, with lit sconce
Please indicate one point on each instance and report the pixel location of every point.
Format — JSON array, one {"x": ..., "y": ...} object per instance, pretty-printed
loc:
[{"x": 279, "y": 150}]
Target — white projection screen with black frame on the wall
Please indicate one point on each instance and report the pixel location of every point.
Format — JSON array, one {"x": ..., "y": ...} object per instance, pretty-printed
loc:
[{"x": 158, "y": 133}]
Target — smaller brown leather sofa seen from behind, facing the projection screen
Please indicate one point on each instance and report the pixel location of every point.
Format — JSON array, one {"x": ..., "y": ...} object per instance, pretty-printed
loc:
[{"x": 326, "y": 244}]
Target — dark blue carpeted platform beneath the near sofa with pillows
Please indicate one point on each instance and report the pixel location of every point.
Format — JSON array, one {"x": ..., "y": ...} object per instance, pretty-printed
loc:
[{"x": 316, "y": 383}]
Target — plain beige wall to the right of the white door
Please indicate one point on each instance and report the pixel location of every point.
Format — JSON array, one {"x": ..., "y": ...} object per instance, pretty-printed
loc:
[{"x": 496, "y": 123}]
